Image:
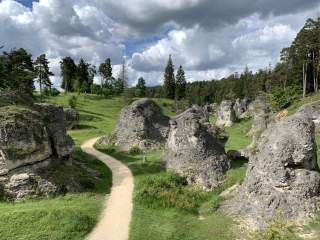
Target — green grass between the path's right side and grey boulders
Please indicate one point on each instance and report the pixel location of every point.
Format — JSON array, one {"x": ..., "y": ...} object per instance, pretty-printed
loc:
[{"x": 167, "y": 208}]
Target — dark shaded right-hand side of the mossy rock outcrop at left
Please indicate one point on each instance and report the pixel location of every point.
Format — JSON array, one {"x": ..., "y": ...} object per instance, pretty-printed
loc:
[{"x": 53, "y": 117}]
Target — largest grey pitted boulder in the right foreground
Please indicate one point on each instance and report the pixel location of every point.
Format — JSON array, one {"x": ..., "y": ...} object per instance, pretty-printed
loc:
[{"x": 283, "y": 177}]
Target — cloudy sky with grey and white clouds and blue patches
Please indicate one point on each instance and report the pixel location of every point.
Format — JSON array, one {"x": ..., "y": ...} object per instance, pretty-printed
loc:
[{"x": 211, "y": 39}]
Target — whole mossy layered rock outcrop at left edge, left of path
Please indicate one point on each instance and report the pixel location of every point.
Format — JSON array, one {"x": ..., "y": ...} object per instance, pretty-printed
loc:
[{"x": 31, "y": 140}]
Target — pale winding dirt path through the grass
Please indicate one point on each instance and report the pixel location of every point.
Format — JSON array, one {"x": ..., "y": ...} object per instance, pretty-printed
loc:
[{"x": 116, "y": 217}]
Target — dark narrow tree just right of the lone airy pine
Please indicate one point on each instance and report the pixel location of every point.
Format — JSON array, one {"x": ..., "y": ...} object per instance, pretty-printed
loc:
[{"x": 68, "y": 73}]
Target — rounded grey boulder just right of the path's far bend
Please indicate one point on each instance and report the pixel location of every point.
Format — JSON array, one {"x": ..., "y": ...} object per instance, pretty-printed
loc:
[{"x": 141, "y": 124}]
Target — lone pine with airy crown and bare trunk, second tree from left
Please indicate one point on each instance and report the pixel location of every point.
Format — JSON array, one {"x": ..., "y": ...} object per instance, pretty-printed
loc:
[{"x": 43, "y": 72}]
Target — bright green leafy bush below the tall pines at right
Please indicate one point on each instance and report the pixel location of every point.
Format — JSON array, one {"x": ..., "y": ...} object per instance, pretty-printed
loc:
[{"x": 284, "y": 98}]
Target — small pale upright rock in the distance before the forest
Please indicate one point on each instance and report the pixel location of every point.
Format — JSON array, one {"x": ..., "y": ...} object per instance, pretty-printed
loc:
[{"x": 226, "y": 114}]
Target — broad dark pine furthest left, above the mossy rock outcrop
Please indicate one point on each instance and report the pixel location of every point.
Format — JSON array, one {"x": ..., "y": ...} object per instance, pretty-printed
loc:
[{"x": 21, "y": 73}]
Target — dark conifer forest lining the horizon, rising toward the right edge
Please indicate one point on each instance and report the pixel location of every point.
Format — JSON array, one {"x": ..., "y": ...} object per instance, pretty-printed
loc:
[{"x": 296, "y": 75}]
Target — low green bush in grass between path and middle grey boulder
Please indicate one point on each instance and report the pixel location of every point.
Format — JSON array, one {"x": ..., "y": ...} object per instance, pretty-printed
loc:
[{"x": 168, "y": 190}]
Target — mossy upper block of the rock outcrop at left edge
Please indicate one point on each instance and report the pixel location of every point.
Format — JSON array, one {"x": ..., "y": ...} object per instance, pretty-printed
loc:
[{"x": 23, "y": 138}]
